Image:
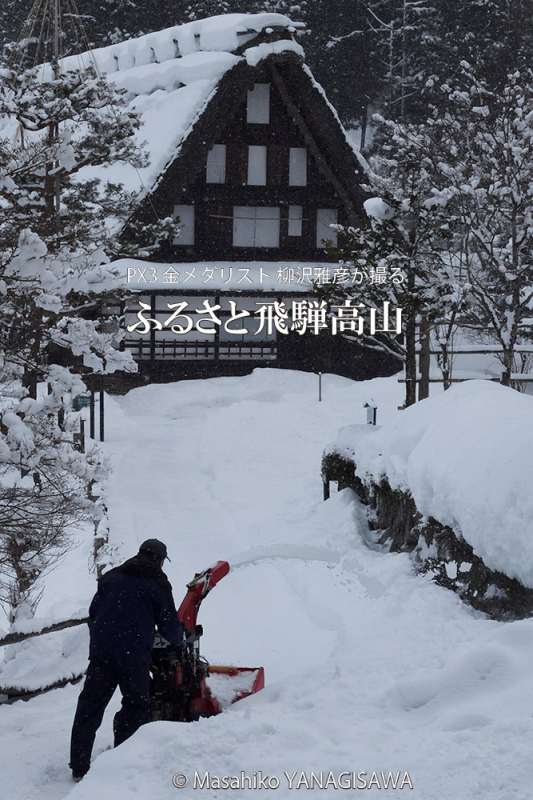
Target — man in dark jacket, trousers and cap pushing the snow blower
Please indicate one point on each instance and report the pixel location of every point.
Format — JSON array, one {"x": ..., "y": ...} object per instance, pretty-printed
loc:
[{"x": 131, "y": 601}]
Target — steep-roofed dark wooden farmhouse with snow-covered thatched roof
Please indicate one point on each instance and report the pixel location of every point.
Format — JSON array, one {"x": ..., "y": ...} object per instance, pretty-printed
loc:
[{"x": 246, "y": 151}]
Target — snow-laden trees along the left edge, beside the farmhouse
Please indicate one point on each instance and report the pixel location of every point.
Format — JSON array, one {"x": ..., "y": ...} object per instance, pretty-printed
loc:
[{"x": 54, "y": 237}]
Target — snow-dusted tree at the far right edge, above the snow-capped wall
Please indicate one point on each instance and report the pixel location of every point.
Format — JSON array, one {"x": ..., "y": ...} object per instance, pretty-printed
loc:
[{"x": 485, "y": 174}]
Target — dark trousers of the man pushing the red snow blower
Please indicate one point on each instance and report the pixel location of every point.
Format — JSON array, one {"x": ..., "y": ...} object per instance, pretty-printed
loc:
[{"x": 131, "y": 674}]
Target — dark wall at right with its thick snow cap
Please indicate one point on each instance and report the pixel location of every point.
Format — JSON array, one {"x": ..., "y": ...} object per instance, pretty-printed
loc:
[{"x": 450, "y": 479}]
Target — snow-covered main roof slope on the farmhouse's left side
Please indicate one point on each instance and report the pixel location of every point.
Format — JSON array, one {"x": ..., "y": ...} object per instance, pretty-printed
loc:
[{"x": 170, "y": 76}]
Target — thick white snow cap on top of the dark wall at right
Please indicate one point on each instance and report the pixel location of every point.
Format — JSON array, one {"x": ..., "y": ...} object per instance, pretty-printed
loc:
[{"x": 466, "y": 457}]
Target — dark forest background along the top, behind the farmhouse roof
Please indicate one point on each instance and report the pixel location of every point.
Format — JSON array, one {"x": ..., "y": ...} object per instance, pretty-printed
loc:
[{"x": 374, "y": 54}]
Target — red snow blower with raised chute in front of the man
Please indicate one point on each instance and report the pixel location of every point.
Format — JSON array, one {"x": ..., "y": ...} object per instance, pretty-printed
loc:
[{"x": 184, "y": 686}]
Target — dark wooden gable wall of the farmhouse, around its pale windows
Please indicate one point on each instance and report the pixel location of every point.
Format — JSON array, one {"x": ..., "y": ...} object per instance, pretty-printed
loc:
[{"x": 299, "y": 117}]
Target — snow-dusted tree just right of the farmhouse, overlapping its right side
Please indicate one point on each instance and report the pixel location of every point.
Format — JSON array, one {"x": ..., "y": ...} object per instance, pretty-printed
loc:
[{"x": 404, "y": 241}]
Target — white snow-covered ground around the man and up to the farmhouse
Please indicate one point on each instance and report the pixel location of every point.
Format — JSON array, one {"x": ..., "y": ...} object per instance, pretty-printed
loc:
[{"x": 368, "y": 665}]
